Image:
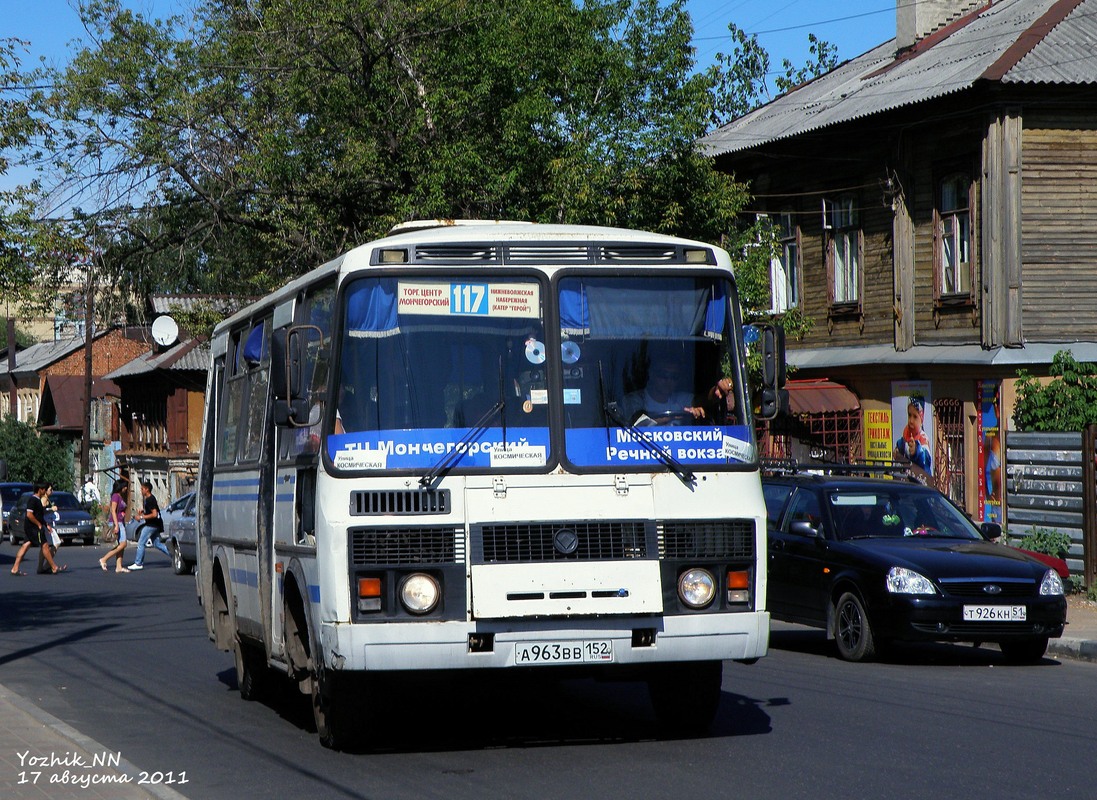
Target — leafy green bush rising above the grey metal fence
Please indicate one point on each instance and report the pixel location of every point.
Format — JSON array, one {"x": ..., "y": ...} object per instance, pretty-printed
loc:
[{"x": 1067, "y": 403}]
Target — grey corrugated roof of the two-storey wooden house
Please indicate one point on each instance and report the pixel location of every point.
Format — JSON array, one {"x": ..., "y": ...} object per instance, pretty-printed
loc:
[{"x": 1047, "y": 49}]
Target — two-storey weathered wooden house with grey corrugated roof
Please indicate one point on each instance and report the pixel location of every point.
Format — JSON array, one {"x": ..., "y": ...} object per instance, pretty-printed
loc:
[{"x": 935, "y": 201}]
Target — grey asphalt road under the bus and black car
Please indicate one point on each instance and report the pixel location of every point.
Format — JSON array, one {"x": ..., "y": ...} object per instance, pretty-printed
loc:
[{"x": 125, "y": 659}]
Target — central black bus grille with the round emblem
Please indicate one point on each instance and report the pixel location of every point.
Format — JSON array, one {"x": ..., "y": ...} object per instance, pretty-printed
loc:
[{"x": 518, "y": 543}]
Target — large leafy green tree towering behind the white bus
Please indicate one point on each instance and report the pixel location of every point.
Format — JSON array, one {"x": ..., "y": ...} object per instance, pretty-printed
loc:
[{"x": 236, "y": 150}]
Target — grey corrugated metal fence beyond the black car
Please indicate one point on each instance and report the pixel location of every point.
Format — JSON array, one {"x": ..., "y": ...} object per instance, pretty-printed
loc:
[{"x": 1045, "y": 479}]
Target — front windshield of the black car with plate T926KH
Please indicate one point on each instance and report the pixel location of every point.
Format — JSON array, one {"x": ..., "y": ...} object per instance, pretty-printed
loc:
[{"x": 897, "y": 513}]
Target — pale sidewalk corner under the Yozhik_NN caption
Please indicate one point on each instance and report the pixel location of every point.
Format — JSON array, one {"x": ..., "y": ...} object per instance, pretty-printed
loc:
[{"x": 41, "y": 758}]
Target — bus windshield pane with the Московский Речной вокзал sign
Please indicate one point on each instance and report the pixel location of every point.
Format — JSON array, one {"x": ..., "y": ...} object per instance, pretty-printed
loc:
[{"x": 650, "y": 363}]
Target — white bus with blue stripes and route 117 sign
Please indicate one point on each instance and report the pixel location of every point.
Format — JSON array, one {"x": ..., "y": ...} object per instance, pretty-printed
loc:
[{"x": 488, "y": 446}]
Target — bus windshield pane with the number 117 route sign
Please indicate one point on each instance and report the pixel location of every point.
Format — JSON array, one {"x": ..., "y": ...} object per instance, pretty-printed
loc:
[{"x": 429, "y": 365}]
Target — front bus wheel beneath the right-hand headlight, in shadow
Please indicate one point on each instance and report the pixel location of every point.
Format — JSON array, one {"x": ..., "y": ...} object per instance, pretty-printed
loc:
[{"x": 686, "y": 696}]
